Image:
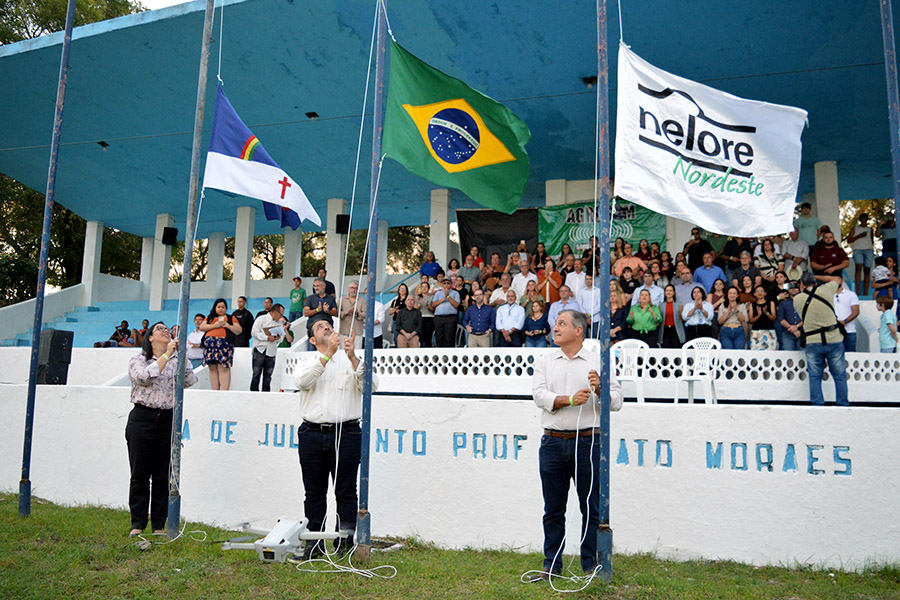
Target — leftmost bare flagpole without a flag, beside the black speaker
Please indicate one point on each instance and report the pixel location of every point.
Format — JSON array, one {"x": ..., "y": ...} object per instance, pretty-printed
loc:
[{"x": 25, "y": 482}]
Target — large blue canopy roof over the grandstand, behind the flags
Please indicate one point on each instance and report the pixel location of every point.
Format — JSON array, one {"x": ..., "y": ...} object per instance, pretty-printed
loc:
[{"x": 133, "y": 80}]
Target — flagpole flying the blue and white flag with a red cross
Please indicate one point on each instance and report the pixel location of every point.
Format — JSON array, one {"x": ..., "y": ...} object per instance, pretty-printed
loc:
[{"x": 174, "y": 517}]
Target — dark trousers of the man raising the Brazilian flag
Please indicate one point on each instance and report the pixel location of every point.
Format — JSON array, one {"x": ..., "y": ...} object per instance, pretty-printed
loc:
[{"x": 320, "y": 461}]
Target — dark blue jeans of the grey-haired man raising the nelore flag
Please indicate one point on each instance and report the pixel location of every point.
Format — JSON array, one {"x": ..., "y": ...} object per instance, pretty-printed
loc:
[{"x": 557, "y": 465}]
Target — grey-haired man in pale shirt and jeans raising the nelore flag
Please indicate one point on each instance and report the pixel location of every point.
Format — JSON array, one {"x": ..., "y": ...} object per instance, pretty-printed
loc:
[{"x": 566, "y": 387}]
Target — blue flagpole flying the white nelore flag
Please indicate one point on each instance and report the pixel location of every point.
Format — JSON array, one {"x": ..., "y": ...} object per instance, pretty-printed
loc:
[{"x": 604, "y": 535}]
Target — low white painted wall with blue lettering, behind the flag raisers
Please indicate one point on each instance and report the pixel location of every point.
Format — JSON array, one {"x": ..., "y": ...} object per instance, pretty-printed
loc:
[{"x": 837, "y": 509}]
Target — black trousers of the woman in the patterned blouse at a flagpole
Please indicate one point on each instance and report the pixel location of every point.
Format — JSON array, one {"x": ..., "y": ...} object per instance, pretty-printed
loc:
[{"x": 149, "y": 437}]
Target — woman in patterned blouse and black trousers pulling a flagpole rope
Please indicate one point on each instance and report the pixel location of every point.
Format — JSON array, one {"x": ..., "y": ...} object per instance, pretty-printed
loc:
[{"x": 149, "y": 429}]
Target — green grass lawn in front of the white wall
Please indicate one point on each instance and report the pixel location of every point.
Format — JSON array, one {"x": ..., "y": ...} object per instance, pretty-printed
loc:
[{"x": 84, "y": 552}]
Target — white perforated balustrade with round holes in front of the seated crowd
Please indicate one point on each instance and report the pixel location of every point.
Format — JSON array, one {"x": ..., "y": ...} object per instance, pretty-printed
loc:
[{"x": 742, "y": 374}]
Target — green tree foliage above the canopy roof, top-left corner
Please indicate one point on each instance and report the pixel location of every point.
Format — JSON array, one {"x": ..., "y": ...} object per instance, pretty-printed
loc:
[{"x": 26, "y": 19}]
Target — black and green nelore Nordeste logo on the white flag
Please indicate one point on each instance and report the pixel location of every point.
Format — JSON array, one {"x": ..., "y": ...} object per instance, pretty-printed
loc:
[{"x": 699, "y": 143}]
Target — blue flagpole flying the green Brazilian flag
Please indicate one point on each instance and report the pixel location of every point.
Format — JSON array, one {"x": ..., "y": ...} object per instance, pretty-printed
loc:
[{"x": 363, "y": 520}]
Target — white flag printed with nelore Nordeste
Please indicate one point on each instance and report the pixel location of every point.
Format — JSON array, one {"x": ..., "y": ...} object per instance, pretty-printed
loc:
[{"x": 686, "y": 150}]
